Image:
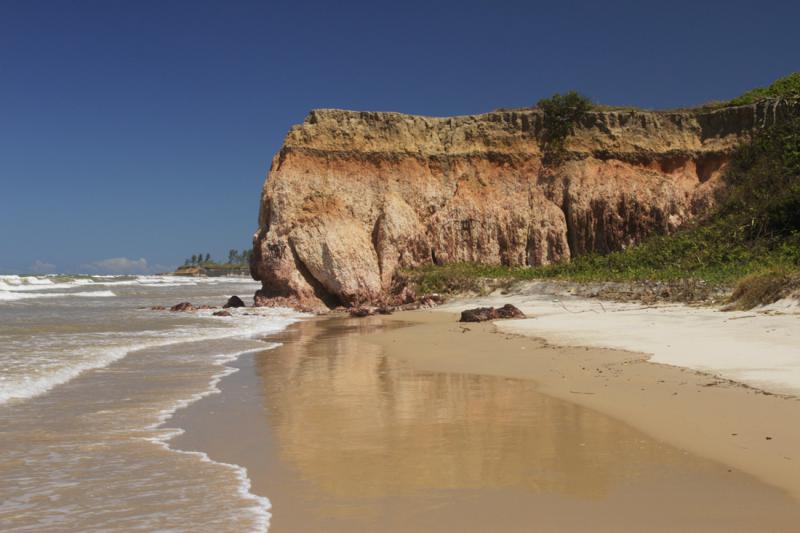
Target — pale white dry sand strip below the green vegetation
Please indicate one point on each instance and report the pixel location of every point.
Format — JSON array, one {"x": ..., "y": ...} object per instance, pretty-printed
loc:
[{"x": 754, "y": 347}]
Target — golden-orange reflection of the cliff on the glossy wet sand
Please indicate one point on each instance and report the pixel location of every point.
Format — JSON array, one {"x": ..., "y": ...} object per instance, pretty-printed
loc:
[{"x": 358, "y": 424}]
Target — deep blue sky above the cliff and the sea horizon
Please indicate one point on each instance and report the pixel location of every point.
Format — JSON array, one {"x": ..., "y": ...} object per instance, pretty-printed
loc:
[{"x": 136, "y": 133}]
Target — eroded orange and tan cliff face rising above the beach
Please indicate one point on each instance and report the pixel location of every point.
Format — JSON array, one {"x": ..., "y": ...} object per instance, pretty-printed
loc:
[{"x": 352, "y": 197}]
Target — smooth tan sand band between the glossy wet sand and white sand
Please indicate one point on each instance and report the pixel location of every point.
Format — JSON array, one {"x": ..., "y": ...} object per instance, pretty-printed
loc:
[{"x": 739, "y": 426}]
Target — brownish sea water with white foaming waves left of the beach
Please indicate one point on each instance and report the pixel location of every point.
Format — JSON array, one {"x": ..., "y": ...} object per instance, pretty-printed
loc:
[{"x": 89, "y": 377}]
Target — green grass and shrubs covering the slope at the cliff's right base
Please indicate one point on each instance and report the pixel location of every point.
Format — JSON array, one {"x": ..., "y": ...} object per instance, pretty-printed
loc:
[{"x": 753, "y": 238}]
